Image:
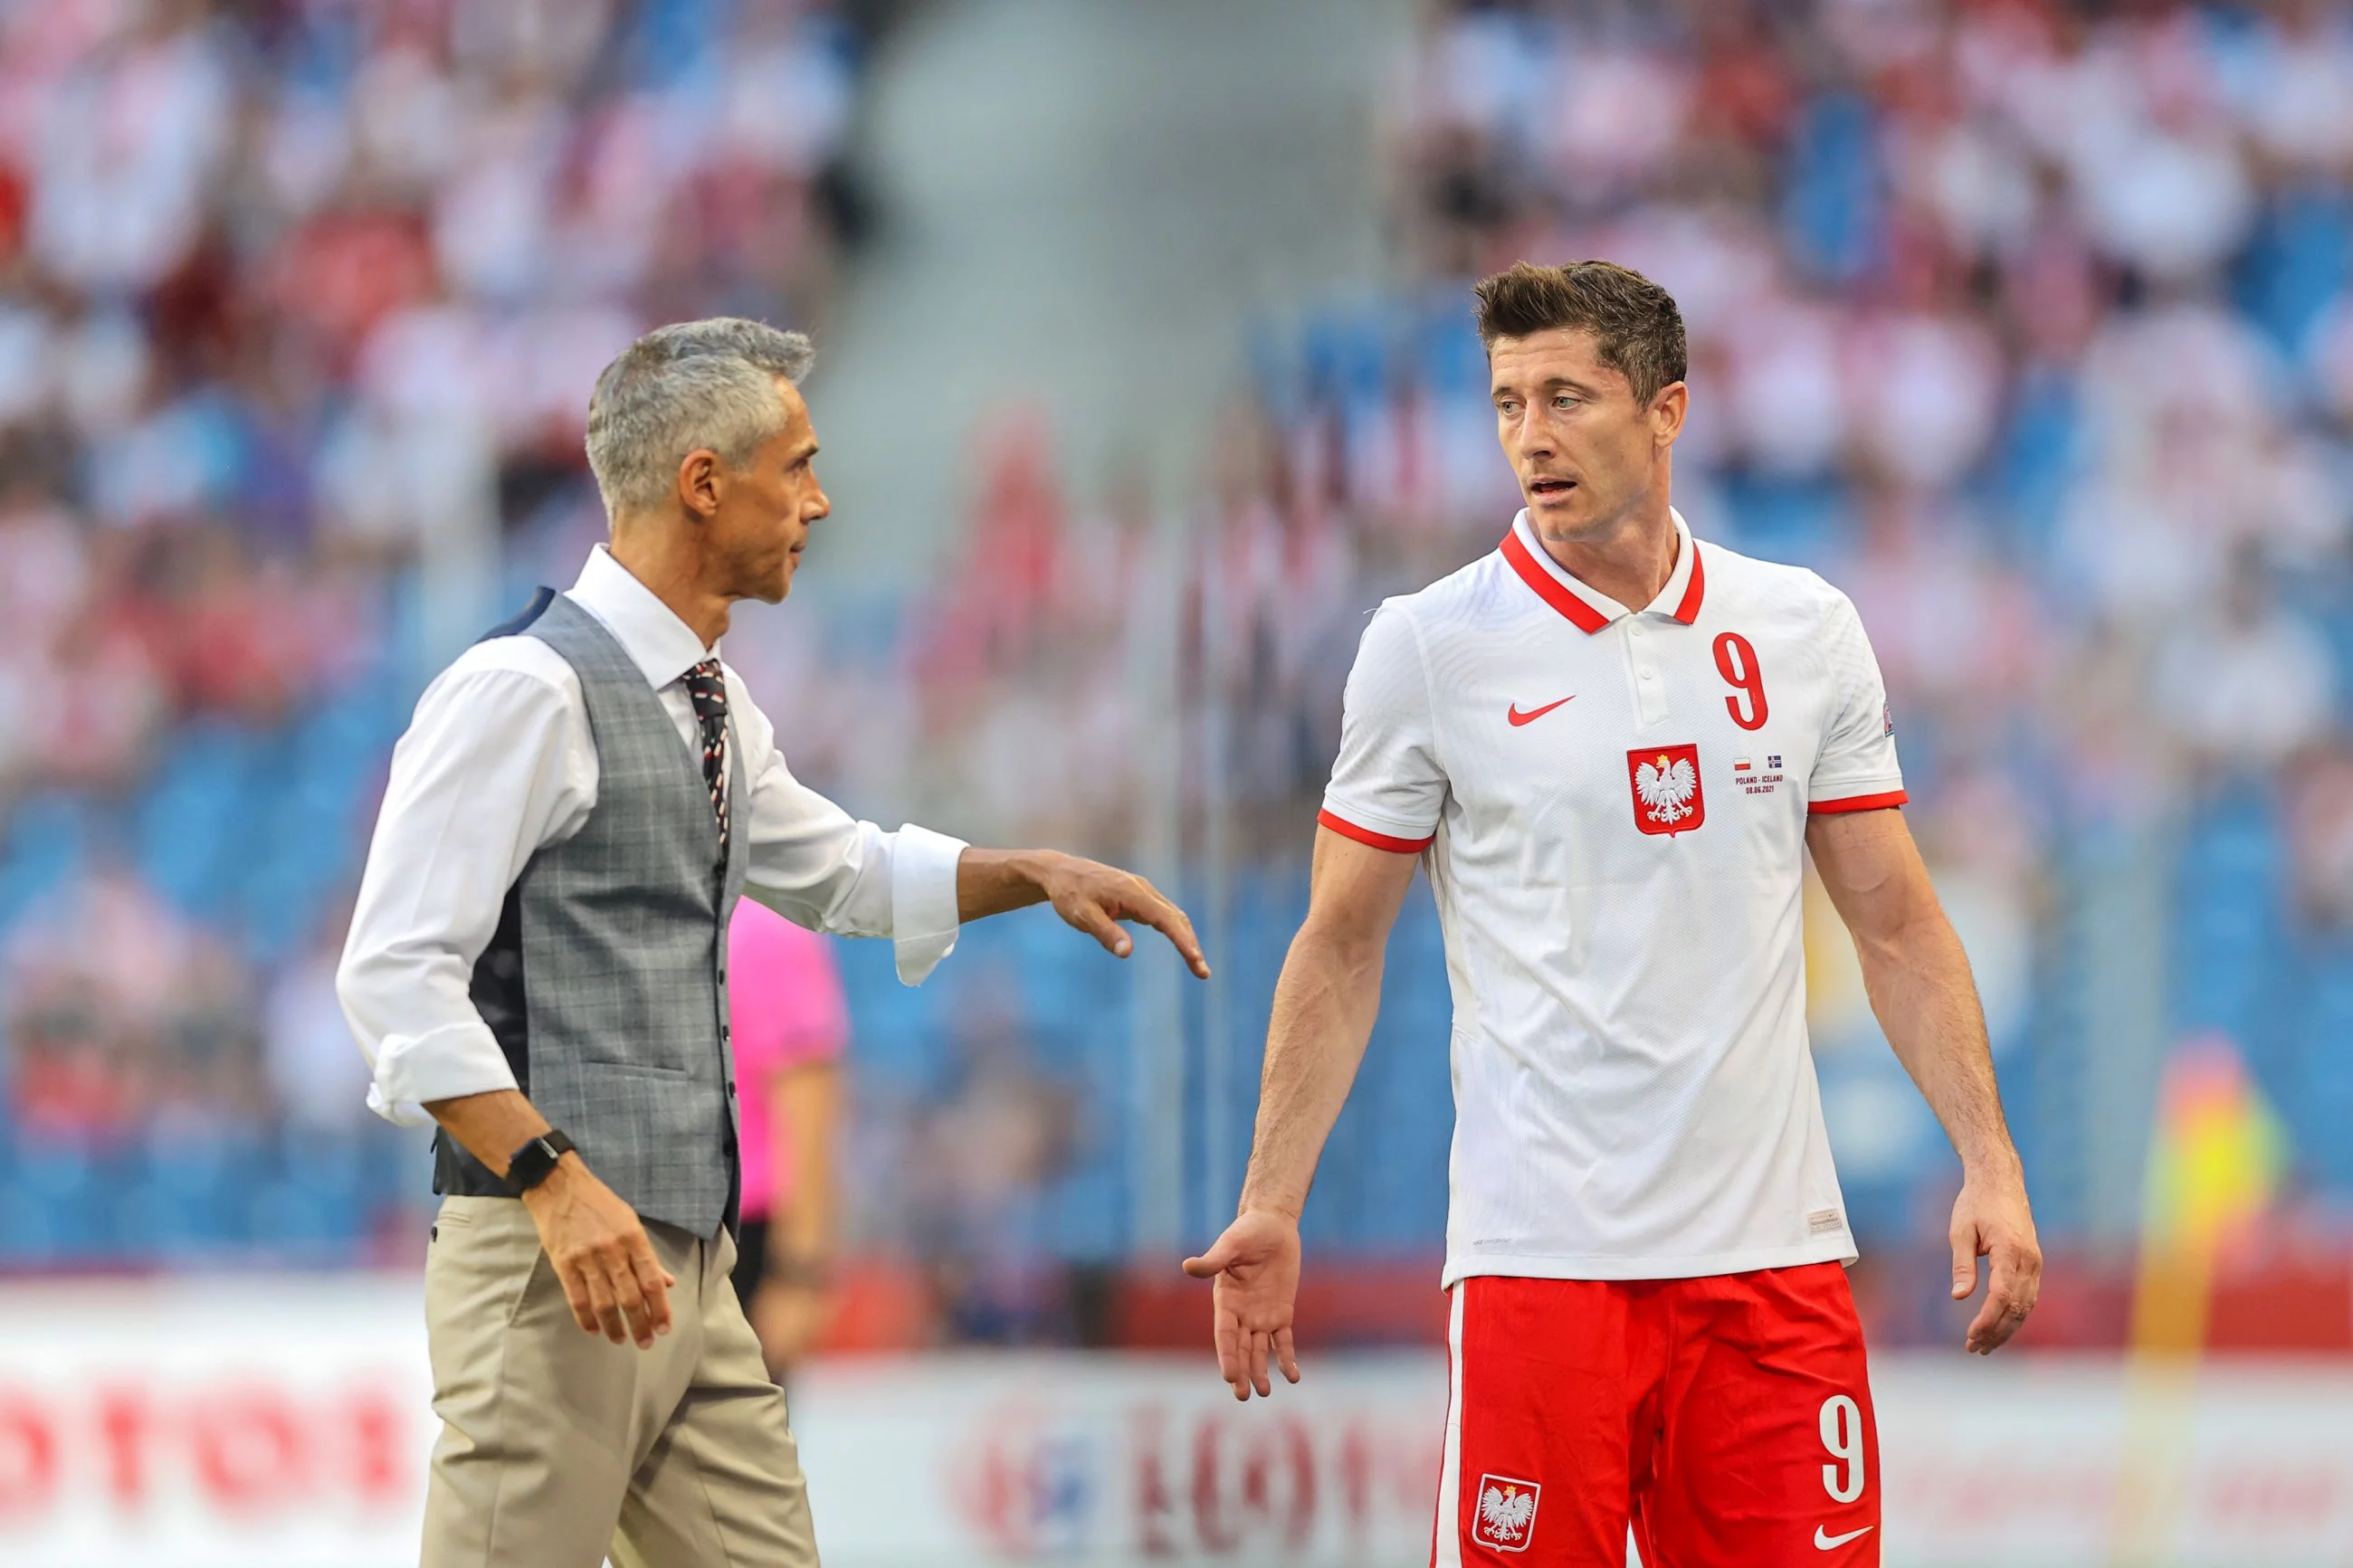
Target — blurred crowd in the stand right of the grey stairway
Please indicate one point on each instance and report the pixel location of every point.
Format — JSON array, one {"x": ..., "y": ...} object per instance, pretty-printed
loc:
[{"x": 2025, "y": 323}]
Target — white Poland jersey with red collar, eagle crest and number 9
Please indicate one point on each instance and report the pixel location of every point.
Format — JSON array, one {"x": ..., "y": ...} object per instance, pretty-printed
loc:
[{"x": 1613, "y": 815}]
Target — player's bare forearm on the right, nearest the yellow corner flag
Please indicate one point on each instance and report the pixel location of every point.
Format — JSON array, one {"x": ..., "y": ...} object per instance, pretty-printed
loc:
[{"x": 1926, "y": 1000}]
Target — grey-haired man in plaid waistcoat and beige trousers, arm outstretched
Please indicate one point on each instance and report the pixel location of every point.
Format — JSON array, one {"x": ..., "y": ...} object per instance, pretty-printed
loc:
[{"x": 540, "y": 965}]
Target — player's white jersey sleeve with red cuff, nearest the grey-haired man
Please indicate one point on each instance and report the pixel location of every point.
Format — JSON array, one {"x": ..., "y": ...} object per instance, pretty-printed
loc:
[{"x": 1387, "y": 786}]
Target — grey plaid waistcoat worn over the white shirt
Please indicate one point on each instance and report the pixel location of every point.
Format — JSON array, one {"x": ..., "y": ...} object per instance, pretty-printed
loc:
[{"x": 608, "y": 977}]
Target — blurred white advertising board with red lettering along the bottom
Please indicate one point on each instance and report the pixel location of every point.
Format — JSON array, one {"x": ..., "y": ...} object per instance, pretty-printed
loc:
[{"x": 286, "y": 1423}]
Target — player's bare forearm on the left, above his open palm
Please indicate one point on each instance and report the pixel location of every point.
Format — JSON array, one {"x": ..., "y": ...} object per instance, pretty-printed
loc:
[{"x": 1326, "y": 1003}]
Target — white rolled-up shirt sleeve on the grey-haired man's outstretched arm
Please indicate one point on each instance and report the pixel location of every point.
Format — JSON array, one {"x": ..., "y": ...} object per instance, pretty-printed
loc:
[{"x": 827, "y": 871}]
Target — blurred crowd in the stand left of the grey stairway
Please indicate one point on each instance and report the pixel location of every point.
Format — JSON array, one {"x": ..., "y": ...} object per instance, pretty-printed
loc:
[{"x": 300, "y": 304}]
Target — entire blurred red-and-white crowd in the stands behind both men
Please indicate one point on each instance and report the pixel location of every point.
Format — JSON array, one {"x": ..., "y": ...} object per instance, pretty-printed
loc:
[{"x": 2027, "y": 323}]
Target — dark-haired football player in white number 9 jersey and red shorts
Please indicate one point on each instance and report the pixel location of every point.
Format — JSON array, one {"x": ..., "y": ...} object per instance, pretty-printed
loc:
[{"x": 1613, "y": 749}]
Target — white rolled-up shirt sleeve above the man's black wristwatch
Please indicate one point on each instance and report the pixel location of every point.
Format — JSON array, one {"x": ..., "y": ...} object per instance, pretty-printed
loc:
[{"x": 486, "y": 775}]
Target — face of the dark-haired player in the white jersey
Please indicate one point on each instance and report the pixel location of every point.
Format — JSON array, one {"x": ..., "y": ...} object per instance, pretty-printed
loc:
[{"x": 1580, "y": 445}]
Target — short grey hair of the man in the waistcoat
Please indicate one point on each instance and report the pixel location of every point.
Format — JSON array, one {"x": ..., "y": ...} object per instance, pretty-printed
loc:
[{"x": 679, "y": 389}]
